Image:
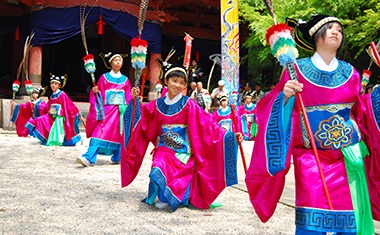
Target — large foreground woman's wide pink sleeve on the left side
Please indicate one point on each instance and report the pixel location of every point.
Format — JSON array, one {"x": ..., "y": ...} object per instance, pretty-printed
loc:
[{"x": 270, "y": 161}]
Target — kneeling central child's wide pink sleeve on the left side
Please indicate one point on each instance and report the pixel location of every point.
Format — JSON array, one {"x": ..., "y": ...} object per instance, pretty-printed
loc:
[{"x": 136, "y": 139}]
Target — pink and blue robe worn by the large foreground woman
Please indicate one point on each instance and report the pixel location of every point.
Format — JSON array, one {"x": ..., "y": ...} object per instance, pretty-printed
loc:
[{"x": 339, "y": 117}]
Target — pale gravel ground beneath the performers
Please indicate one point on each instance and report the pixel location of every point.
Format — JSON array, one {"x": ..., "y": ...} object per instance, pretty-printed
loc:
[{"x": 43, "y": 191}]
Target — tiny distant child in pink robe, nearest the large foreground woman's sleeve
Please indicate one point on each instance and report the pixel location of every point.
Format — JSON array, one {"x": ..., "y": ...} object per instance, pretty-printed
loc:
[{"x": 247, "y": 114}]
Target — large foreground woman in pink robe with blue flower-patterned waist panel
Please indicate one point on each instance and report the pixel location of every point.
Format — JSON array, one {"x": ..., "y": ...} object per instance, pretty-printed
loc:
[{"x": 345, "y": 126}]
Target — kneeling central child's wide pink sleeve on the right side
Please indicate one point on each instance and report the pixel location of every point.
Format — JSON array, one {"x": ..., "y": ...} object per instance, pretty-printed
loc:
[{"x": 215, "y": 154}]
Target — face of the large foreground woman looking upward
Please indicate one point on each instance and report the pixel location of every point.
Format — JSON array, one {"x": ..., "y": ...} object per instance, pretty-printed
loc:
[{"x": 332, "y": 38}]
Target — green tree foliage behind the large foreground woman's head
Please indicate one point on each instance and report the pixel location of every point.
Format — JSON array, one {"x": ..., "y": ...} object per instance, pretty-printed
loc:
[{"x": 361, "y": 21}]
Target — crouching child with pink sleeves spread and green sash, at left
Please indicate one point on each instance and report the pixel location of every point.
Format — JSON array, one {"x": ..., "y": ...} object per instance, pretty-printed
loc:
[{"x": 60, "y": 125}]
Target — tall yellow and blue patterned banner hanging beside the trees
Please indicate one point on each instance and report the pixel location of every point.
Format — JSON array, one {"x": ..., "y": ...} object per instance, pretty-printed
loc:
[{"x": 230, "y": 45}]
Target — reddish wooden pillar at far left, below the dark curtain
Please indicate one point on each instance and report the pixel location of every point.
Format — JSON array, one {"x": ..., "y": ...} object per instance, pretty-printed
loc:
[{"x": 35, "y": 65}]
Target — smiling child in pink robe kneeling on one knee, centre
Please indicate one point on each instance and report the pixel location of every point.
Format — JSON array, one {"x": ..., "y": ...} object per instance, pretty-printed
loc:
[{"x": 192, "y": 159}]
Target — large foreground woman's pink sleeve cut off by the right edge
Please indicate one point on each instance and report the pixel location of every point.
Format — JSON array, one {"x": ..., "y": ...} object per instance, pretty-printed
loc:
[{"x": 368, "y": 117}]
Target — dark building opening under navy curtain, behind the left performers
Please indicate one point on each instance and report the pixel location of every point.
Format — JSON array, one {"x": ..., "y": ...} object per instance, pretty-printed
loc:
[{"x": 66, "y": 58}]
